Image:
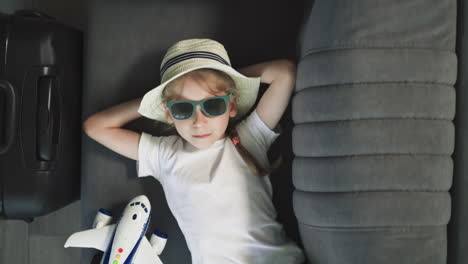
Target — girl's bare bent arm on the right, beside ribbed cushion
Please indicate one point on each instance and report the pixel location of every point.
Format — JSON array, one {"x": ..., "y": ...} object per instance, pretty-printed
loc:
[{"x": 281, "y": 75}]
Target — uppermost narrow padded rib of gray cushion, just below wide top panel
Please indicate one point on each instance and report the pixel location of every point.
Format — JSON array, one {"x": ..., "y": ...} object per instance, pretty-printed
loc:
[{"x": 376, "y": 66}]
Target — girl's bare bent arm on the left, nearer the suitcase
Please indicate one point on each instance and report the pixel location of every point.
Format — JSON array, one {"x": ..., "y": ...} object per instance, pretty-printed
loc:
[{"x": 105, "y": 128}]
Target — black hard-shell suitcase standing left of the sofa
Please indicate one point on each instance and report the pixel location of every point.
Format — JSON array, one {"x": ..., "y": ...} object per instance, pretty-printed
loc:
[{"x": 40, "y": 114}]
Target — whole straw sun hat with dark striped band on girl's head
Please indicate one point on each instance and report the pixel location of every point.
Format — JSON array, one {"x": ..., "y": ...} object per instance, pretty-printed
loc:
[{"x": 191, "y": 54}]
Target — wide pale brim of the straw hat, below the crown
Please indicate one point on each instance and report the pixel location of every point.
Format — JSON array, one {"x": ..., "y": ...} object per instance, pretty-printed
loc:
[{"x": 152, "y": 107}]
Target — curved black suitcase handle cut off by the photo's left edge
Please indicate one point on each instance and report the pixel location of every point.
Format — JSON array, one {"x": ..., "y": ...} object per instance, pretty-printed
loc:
[{"x": 7, "y": 116}]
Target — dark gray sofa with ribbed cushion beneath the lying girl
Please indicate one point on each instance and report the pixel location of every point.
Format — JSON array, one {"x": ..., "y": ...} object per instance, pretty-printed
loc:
[{"x": 367, "y": 139}]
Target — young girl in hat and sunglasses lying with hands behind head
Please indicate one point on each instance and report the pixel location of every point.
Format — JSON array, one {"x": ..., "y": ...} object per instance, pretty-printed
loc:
[{"x": 215, "y": 171}]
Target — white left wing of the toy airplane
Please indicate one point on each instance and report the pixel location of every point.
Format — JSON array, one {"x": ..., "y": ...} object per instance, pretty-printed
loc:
[{"x": 93, "y": 238}]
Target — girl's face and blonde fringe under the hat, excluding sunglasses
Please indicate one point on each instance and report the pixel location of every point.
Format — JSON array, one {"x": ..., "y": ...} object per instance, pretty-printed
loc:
[{"x": 200, "y": 130}]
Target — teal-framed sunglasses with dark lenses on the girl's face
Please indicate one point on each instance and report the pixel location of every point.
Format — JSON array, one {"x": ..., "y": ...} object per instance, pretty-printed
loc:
[{"x": 211, "y": 107}]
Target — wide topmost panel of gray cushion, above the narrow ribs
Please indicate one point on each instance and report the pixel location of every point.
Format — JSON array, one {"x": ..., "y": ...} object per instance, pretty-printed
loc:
[{"x": 393, "y": 24}]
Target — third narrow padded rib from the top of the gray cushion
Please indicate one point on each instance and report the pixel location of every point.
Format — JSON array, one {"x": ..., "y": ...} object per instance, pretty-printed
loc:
[{"x": 374, "y": 137}]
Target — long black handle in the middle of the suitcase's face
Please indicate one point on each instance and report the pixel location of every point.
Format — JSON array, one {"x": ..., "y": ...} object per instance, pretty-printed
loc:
[{"x": 40, "y": 118}]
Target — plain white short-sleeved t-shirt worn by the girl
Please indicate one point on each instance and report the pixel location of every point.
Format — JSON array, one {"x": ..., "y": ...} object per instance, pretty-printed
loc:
[{"x": 224, "y": 211}]
